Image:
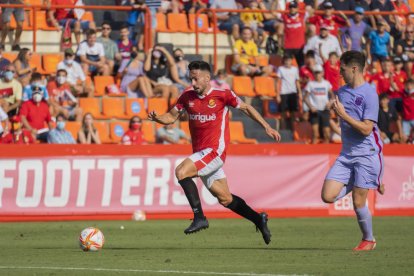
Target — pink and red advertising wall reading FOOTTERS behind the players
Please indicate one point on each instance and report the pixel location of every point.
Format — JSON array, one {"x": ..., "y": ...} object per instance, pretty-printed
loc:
[{"x": 72, "y": 182}]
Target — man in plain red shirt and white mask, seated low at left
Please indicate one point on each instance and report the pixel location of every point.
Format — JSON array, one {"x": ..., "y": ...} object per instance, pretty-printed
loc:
[{"x": 35, "y": 114}]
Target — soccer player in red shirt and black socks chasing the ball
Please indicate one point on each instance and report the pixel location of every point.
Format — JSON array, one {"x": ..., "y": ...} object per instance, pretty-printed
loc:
[{"x": 208, "y": 112}]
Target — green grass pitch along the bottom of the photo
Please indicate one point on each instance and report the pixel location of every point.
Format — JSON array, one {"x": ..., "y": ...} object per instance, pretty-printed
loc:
[{"x": 313, "y": 246}]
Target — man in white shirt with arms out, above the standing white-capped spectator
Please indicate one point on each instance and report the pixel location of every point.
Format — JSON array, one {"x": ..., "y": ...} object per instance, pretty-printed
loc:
[{"x": 323, "y": 44}]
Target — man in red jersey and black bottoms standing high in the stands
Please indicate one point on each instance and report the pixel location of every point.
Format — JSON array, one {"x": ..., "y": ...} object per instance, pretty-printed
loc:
[{"x": 293, "y": 30}]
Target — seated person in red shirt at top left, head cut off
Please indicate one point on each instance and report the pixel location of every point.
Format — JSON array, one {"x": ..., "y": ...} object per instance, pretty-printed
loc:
[{"x": 58, "y": 18}]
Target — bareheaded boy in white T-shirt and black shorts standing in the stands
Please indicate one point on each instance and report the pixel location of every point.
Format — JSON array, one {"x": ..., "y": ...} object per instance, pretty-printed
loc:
[{"x": 290, "y": 93}]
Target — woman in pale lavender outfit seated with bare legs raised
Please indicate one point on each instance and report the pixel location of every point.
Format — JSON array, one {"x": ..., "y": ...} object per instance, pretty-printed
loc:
[{"x": 134, "y": 82}]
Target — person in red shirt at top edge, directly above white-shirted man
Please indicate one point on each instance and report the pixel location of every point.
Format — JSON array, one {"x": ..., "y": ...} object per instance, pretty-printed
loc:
[{"x": 333, "y": 22}]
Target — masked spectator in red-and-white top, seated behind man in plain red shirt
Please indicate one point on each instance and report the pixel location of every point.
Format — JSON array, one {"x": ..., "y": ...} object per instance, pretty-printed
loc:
[{"x": 61, "y": 98}]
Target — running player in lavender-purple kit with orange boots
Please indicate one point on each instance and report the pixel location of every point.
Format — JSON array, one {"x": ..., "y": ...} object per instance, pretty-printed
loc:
[{"x": 360, "y": 164}]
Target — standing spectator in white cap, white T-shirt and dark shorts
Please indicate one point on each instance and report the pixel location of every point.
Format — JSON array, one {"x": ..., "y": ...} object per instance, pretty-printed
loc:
[{"x": 317, "y": 95}]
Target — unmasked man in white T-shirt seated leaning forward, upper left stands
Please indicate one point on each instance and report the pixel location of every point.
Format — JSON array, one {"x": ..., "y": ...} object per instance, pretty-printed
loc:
[{"x": 92, "y": 56}]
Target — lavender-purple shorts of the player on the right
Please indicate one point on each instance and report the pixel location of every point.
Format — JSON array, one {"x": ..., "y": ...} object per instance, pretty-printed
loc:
[{"x": 360, "y": 171}]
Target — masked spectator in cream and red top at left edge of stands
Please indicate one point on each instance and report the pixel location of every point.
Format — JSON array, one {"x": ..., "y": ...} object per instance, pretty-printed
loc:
[{"x": 10, "y": 91}]
